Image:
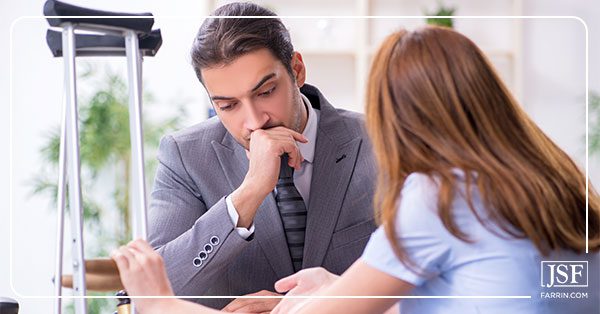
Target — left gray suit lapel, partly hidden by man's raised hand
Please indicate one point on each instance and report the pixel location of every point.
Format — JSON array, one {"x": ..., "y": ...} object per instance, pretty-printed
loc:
[{"x": 269, "y": 229}]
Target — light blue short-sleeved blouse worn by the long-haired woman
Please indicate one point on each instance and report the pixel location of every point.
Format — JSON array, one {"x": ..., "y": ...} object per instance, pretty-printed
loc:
[{"x": 492, "y": 265}]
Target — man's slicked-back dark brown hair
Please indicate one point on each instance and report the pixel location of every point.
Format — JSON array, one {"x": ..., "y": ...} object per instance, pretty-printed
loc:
[{"x": 222, "y": 40}]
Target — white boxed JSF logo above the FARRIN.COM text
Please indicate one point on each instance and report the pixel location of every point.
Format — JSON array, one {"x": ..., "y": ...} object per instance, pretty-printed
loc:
[{"x": 564, "y": 274}]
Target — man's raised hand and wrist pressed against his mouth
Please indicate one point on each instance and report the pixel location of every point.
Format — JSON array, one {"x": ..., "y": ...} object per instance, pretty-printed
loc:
[{"x": 265, "y": 151}]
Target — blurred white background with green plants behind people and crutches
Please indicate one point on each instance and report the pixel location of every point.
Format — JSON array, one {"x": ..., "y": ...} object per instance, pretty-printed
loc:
[{"x": 541, "y": 60}]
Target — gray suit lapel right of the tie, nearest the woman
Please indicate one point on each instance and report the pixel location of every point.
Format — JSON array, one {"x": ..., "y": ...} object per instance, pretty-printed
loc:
[{"x": 335, "y": 158}]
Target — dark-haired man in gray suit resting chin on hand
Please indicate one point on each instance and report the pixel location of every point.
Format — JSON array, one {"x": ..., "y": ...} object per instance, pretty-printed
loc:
[{"x": 279, "y": 182}]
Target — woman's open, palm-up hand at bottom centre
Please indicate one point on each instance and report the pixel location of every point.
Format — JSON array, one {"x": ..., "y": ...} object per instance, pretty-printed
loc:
[{"x": 303, "y": 283}]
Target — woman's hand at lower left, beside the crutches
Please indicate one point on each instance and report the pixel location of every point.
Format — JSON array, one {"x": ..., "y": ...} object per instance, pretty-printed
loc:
[{"x": 143, "y": 274}]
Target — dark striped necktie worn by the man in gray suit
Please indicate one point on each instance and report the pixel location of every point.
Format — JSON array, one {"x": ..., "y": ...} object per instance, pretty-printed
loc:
[{"x": 293, "y": 212}]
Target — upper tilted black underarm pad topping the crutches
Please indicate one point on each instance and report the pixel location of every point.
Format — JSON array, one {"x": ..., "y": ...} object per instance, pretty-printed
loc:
[{"x": 57, "y": 8}]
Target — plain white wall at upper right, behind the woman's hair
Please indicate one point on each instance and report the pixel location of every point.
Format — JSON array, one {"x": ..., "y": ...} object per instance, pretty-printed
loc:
[{"x": 554, "y": 72}]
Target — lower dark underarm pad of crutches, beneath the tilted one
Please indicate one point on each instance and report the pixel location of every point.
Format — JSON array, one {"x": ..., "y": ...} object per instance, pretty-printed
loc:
[{"x": 103, "y": 45}]
